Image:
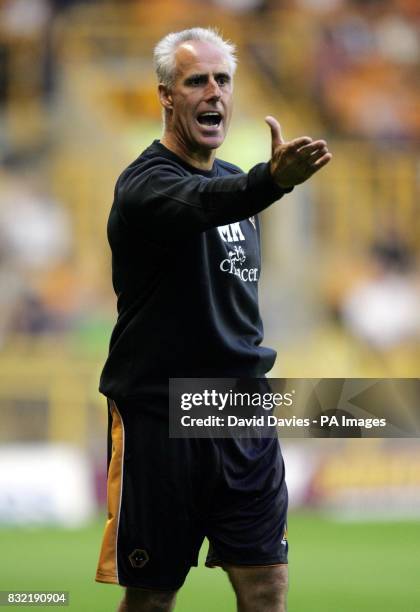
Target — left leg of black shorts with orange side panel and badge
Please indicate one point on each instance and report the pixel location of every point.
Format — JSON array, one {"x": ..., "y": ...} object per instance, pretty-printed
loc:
[{"x": 152, "y": 536}]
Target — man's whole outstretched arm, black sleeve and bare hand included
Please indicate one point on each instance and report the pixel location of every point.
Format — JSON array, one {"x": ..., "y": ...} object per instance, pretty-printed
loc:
[{"x": 161, "y": 196}]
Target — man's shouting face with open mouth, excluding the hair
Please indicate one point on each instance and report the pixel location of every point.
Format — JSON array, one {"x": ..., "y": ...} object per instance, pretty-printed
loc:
[{"x": 201, "y": 97}]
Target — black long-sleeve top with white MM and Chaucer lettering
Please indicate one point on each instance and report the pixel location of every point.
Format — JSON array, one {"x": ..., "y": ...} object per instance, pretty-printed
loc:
[{"x": 185, "y": 267}]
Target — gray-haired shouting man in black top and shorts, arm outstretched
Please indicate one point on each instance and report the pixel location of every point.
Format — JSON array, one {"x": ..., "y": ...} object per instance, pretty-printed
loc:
[{"x": 186, "y": 262}]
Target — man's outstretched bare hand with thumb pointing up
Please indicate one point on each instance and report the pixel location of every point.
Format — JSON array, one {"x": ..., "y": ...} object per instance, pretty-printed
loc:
[{"x": 294, "y": 162}]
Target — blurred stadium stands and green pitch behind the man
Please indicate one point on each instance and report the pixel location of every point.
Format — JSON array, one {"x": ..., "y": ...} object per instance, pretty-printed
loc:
[{"x": 340, "y": 290}]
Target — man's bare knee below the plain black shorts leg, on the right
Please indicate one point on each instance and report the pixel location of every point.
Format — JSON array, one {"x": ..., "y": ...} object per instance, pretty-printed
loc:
[{"x": 260, "y": 588}]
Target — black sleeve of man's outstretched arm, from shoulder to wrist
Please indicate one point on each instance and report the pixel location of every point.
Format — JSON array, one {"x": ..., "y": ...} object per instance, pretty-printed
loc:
[{"x": 165, "y": 198}]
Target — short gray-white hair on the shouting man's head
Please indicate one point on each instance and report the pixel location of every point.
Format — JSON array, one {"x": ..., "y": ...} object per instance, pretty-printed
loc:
[{"x": 164, "y": 53}]
